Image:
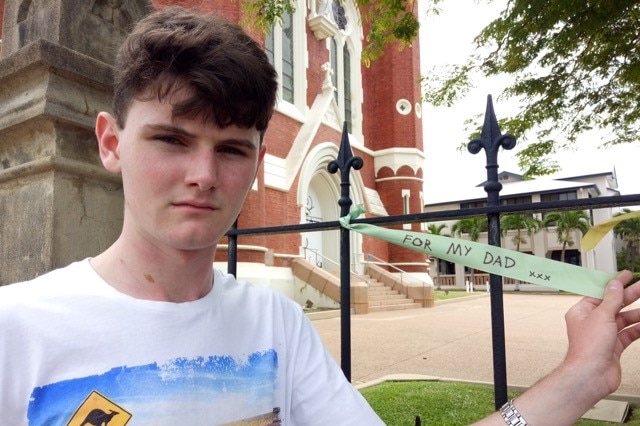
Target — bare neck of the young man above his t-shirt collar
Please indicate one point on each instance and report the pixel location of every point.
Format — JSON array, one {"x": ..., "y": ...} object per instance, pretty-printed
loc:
[{"x": 159, "y": 275}]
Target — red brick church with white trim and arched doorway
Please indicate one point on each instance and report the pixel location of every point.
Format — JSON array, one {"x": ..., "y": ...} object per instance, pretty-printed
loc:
[{"x": 323, "y": 83}]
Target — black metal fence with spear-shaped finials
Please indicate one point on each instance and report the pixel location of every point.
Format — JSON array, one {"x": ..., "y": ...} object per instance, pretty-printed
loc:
[{"x": 491, "y": 140}]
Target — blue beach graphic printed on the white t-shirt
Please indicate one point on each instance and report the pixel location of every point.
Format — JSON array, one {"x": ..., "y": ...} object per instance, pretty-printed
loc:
[{"x": 212, "y": 390}]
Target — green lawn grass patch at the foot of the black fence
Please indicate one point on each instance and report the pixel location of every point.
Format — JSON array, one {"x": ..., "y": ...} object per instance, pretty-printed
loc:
[{"x": 443, "y": 403}]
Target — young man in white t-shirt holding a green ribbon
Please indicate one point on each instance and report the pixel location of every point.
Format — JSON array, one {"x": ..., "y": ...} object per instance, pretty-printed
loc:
[{"x": 148, "y": 333}]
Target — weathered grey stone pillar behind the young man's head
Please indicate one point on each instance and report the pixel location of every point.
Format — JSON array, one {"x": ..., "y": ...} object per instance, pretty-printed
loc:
[{"x": 57, "y": 203}]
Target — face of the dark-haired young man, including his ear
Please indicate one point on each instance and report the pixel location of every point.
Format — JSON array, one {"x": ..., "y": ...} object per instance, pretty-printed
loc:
[{"x": 184, "y": 180}]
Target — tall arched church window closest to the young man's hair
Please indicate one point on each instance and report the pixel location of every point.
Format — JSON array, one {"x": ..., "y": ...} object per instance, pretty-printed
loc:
[{"x": 285, "y": 46}]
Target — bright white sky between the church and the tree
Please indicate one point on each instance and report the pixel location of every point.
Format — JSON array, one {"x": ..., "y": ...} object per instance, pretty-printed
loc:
[{"x": 447, "y": 39}]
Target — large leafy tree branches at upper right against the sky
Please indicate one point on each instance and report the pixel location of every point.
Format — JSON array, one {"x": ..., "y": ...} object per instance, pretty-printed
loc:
[{"x": 574, "y": 67}]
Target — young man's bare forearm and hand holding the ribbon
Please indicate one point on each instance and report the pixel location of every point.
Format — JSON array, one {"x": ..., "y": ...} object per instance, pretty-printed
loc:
[{"x": 598, "y": 331}]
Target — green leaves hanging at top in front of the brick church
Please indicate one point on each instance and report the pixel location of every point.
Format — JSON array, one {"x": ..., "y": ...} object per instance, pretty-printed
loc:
[{"x": 389, "y": 20}]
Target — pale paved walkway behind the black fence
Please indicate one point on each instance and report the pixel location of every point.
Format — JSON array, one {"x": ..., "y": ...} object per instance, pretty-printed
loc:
[{"x": 453, "y": 340}]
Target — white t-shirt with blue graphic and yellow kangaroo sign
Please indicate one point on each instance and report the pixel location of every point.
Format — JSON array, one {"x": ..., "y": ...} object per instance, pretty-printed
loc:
[{"x": 75, "y": 351}]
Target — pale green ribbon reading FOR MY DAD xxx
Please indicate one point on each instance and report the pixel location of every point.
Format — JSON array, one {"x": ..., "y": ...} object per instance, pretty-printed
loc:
[{"x": 494, "y": 260}]
